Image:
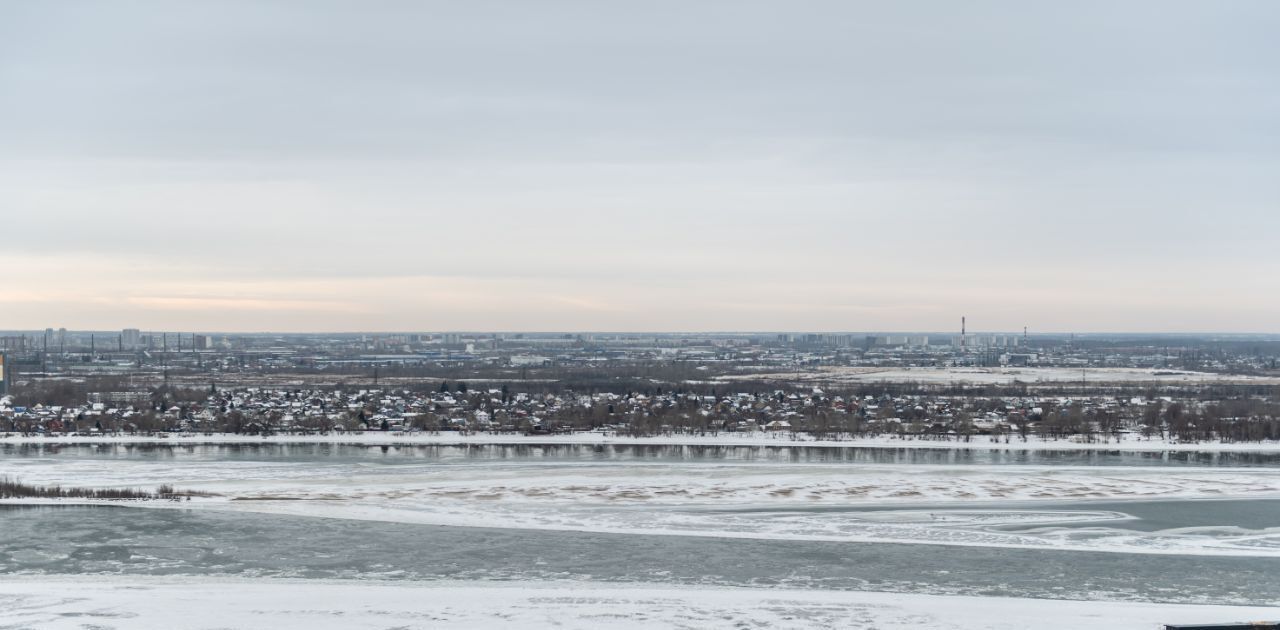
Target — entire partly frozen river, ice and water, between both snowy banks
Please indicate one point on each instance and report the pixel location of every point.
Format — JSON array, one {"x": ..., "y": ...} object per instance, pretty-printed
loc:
[{"x": 1096, "y": 526}]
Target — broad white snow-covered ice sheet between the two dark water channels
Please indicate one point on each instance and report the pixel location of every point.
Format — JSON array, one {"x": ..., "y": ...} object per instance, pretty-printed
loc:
[{"x": 956, "y": 505}]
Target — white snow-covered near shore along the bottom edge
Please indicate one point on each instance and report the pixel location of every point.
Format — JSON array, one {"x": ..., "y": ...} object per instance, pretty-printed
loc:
[{"x": 179, "y": 604}]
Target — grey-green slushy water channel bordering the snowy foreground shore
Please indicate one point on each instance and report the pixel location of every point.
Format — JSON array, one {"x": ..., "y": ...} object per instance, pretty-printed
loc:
[{"x": 121, "y": 541}]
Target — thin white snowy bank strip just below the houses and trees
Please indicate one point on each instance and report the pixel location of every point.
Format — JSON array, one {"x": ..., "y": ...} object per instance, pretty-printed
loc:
[{"x": 1128, "y": 444}]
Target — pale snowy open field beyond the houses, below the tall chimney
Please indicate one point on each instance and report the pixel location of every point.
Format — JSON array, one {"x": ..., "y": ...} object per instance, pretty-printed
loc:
[{"x": 999, "y": 376}]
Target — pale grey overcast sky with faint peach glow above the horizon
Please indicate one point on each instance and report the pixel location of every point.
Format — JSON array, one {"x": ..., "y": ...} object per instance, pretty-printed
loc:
[{"x": 646, "y": 166}]
